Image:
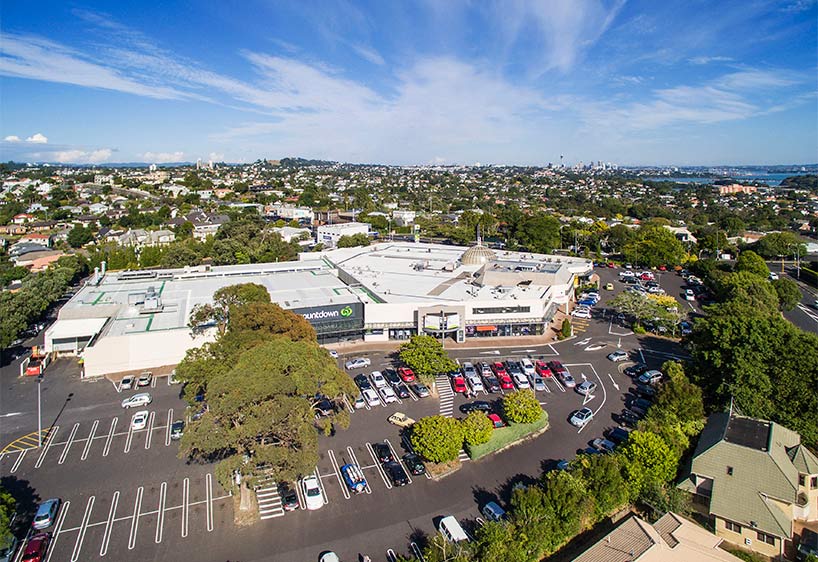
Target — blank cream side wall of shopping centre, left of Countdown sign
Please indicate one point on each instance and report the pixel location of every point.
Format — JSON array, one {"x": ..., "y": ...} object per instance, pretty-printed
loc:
[{"x": 134, "y": 352}]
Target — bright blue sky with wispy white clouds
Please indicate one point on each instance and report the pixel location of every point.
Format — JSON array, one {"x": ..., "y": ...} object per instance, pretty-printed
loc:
[{"x": 399, "y": 82}]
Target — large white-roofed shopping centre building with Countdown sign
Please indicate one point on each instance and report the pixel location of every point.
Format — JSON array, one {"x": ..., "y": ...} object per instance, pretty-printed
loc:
[{"x": 137, "y": 320}]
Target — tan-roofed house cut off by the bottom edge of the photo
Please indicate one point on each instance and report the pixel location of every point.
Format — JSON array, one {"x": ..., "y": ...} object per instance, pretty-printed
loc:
[{"x": 671, "y": 539}]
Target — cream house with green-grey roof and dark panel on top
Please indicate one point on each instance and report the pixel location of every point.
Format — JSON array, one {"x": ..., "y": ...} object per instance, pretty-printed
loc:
[{"x": 756, "y": 480}]
